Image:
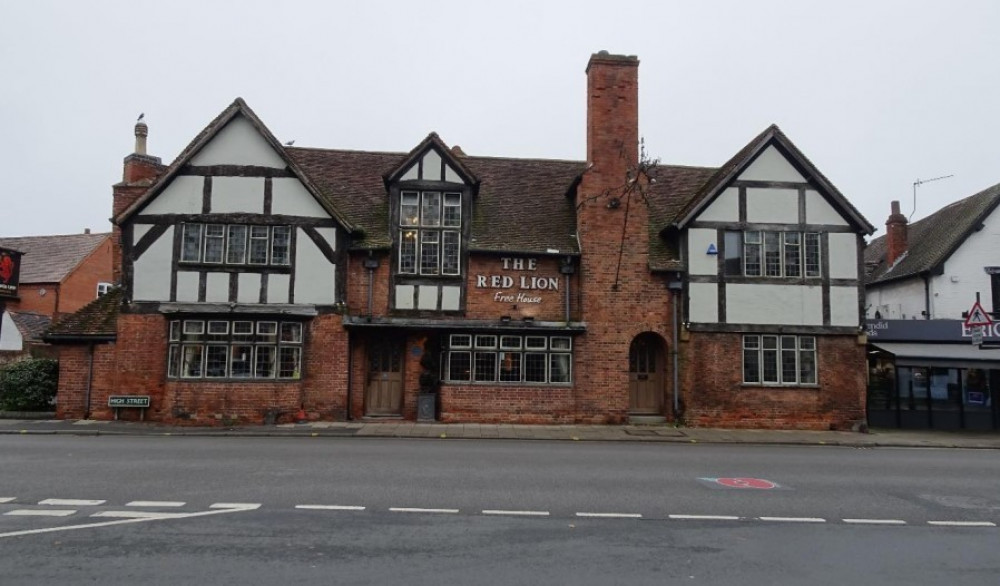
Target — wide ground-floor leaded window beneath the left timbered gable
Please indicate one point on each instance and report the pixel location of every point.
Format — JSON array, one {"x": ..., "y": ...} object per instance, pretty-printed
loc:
[{"x": 234, "y": 349}]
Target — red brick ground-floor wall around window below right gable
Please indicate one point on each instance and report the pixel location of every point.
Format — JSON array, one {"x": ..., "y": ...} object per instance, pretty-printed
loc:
[{"x": 714, "y": 394}]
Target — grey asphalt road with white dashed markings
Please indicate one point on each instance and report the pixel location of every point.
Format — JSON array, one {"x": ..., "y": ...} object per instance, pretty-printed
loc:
[{"x": 365, "y": 511}]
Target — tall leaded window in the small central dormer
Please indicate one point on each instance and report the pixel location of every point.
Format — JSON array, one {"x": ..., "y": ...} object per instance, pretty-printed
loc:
[{"x": 430, "y": 229}]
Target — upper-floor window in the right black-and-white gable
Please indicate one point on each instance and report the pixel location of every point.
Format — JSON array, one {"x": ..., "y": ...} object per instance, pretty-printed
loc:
[{"x": 758, "y": 253}]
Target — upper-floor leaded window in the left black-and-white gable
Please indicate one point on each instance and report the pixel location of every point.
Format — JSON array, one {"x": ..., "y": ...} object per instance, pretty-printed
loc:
[{"x": 236, "y": 244}]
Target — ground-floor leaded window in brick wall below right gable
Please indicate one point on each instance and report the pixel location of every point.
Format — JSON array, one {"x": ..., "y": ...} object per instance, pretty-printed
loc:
[{"x": 779, "y": 360}]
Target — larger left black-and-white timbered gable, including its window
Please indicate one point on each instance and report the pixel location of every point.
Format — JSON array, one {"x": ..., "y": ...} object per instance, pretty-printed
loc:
[{"x": 233, "y": 221}]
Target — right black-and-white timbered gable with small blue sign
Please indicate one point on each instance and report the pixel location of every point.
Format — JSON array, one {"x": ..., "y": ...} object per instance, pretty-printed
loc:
[{"x": 770, "y": 242}]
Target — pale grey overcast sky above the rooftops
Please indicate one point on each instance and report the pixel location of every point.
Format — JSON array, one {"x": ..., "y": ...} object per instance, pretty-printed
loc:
[{"x": 876, "y": 94}]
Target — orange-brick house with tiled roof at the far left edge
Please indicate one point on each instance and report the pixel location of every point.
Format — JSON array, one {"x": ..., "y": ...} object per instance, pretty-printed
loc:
[{"x": 58, "y": 275}]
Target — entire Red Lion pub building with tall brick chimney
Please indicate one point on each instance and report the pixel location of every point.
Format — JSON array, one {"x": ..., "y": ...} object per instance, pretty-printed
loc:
[{"x": 261, "y": 280}]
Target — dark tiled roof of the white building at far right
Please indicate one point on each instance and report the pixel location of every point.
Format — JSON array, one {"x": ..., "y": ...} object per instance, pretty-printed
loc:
[{"x": 932, "y": 240}]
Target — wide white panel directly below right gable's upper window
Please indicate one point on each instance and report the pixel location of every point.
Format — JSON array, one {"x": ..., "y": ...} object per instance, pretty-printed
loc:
[{"x": 794, "y": 305}]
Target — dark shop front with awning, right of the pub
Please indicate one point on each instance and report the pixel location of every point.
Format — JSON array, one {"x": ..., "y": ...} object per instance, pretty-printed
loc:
[{"x": 928, "y": 374}]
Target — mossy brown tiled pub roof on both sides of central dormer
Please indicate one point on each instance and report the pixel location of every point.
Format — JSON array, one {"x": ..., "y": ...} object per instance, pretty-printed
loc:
[{"x": 522, "y": 204}]
